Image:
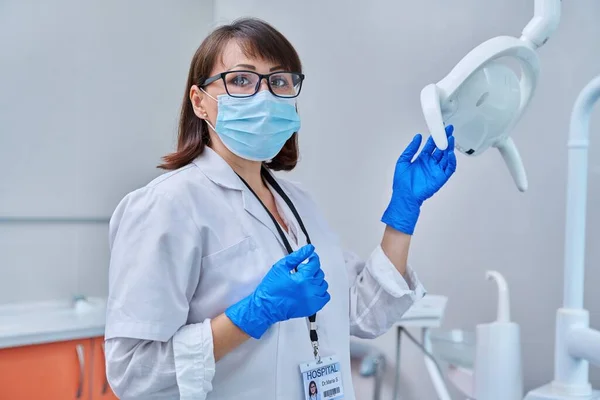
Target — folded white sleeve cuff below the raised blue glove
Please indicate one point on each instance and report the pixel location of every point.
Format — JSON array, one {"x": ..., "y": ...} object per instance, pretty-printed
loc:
[{"x": 386, "y": 274}]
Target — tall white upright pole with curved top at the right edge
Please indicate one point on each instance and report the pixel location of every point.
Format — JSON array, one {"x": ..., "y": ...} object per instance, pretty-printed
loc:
[{"x": 576, "y": 344}]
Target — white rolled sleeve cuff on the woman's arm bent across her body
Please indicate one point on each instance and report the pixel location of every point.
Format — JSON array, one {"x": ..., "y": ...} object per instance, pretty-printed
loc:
[{"x": 194, "y": 360}]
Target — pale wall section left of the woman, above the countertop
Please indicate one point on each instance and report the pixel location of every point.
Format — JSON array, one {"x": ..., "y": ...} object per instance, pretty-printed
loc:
[{"x": 89, "y": 98}]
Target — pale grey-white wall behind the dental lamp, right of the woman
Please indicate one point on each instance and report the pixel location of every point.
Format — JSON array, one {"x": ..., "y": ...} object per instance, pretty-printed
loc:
[{"x": 366, "y": 64}]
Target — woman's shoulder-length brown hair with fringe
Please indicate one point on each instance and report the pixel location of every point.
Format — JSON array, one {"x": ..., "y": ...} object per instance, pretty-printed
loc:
[{"x": 257, "y": 39}]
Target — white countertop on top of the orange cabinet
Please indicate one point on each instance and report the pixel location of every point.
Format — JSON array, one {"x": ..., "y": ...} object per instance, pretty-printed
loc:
[{"x": 53, "y": 321}]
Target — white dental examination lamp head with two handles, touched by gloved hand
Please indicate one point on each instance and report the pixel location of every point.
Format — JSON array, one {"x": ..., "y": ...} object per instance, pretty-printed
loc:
[{"x": 484, "y": 98}]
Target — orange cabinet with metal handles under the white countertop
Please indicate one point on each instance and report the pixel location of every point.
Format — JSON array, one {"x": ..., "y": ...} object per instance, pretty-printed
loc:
[{"x": 69, "y": 370}]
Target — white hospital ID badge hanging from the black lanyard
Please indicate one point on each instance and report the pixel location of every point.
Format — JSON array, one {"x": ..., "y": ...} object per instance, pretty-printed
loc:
[{"x": 322, "y": 381}]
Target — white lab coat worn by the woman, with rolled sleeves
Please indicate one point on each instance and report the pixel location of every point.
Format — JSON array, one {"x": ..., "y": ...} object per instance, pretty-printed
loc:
[{"x": 196, "y": 240}]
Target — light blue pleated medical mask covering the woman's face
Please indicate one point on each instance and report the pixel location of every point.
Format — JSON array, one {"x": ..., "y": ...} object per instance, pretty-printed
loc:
[{"x": 257, "y": 127}]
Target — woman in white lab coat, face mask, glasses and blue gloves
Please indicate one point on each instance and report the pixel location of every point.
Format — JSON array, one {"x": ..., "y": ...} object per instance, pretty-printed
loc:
[{"x": 218, "y": 269}]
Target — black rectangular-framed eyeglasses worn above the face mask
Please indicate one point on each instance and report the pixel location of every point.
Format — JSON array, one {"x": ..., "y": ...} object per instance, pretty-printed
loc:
[{"x": 247, "y": 83}]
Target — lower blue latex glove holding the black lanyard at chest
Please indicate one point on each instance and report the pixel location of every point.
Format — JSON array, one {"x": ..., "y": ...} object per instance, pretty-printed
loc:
[{"x": 283, "y": 295}]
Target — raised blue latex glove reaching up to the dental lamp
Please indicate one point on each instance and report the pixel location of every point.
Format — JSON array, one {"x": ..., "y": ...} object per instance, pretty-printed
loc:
[{"x": 416, "y": 181}]
